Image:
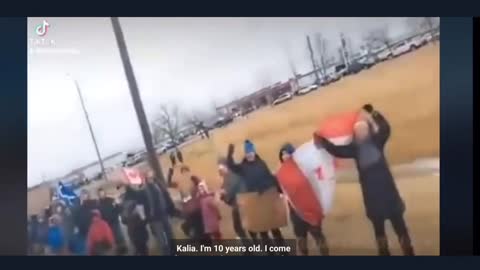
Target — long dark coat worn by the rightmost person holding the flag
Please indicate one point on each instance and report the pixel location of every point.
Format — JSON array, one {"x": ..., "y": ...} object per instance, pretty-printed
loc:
[{"x": 380, "y": 194}]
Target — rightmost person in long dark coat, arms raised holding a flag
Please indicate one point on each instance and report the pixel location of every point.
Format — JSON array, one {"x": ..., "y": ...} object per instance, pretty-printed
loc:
[{"x": 380, "y": 194}]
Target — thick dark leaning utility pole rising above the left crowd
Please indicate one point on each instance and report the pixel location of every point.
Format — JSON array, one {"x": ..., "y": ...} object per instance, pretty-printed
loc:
[{"x": 137, "y": 103}]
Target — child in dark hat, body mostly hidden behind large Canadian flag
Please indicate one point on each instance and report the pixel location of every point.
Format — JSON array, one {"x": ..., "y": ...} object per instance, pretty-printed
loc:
[{"x": 300, "y": 227}]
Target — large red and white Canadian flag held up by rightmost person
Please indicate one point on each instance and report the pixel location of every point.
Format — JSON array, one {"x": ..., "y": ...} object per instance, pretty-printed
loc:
[{"x": 308, "y": 178}]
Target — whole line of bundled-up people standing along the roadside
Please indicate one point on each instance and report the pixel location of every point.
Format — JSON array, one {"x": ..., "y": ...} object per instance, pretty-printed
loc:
[{"x": 92, "y": 227}]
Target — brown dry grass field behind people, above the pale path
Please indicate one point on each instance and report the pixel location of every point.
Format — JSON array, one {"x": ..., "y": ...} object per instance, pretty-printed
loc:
[{"x": 406, "y": 90}]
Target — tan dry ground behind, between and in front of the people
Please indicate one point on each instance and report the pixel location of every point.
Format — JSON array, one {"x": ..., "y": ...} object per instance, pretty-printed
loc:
[{"x": 406, "y": 90}]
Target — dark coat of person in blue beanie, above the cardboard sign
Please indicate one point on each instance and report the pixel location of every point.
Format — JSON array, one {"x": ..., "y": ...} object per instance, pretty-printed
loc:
[{"x": 257, "y": 175}]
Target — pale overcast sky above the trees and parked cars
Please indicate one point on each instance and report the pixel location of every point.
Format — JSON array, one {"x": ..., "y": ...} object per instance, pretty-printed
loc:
[{"x": 194, "y": 62}]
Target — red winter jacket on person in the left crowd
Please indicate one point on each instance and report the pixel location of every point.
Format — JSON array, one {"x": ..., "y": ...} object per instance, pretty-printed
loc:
[{"x": 99, "y": 234}]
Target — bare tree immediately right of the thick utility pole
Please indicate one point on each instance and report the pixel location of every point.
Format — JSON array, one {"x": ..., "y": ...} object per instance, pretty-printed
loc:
[{"x": 167, "y": 123}]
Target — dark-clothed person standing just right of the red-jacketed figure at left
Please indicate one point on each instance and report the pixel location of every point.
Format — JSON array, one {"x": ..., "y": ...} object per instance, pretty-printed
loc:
[{"x": 110, "y": 212}]
